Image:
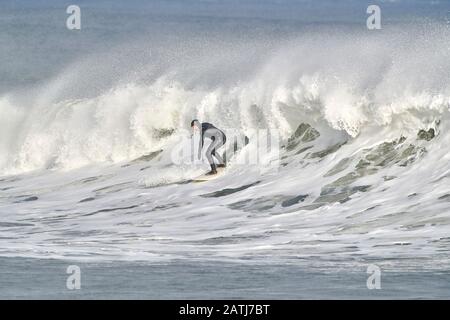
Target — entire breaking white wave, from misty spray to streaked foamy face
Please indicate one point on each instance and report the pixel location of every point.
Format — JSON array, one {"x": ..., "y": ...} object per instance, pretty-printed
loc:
[{"x": 86, "y": 157}]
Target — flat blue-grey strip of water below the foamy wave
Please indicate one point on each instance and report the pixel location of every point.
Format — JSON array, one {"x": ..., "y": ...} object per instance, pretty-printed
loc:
[{"x": 24, "y": 278}]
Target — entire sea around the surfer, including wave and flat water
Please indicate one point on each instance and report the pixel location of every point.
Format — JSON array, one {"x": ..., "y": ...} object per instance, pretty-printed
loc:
[{"x": 92, "y": 123}]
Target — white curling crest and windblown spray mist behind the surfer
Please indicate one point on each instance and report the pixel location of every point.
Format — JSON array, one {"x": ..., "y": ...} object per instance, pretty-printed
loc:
[{"x": 105, "y": 107}]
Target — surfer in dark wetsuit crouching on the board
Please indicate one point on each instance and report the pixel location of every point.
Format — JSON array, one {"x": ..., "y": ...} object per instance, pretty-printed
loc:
[{"x": 207, "y": 130}]
